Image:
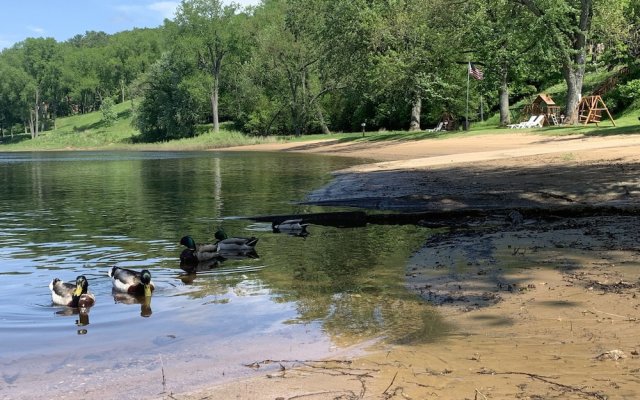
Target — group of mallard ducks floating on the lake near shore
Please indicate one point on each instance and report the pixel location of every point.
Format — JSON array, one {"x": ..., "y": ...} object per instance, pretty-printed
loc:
[{"x": 138, "y": 283}]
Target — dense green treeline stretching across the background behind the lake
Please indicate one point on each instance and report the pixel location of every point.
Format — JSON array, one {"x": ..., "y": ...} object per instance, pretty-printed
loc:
[{"x": 310, "y": 66}]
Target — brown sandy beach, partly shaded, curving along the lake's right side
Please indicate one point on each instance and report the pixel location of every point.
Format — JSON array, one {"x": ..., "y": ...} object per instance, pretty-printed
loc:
[{"x": 542, "y": 305}]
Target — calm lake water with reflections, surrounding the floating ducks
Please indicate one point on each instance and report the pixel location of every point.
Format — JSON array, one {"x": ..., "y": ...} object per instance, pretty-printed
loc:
[{"x": 70, "y": 213}]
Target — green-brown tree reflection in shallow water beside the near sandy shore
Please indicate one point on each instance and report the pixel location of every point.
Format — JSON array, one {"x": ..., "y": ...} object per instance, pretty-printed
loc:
[{"x": 352, "y": 281}]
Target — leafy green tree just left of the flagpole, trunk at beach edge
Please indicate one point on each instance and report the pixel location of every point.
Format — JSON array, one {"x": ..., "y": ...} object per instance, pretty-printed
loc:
[{"x": 394, "y": 56}]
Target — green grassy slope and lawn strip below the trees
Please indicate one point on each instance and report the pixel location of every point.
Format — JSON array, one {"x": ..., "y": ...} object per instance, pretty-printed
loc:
[{"x": 88, "y": 132}]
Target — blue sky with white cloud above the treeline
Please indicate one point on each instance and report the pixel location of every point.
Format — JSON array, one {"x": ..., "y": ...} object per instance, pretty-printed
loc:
[{"x": 63, "y": 19}]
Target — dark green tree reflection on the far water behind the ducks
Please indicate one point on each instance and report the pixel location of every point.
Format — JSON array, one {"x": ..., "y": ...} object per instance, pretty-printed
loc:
[{"x": 124, "y": 205}]
